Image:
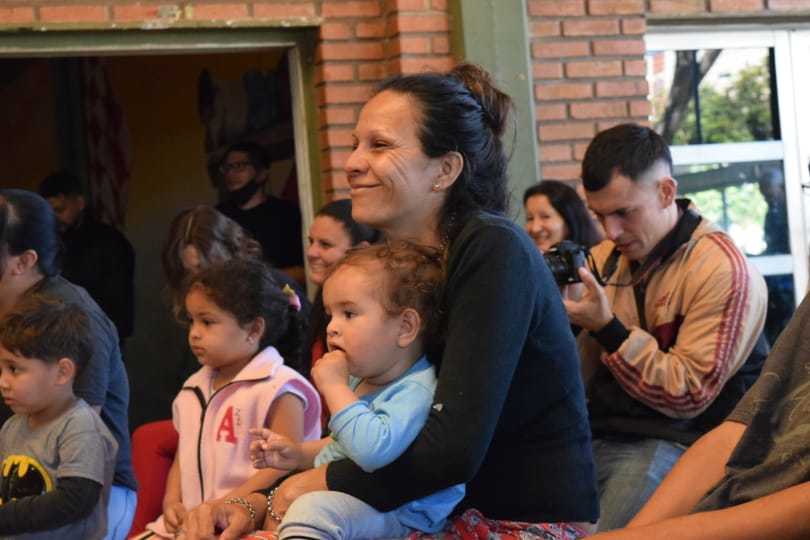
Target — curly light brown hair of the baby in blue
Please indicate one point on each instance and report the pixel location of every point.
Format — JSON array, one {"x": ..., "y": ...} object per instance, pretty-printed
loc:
[{"x": 412, "y": 277}]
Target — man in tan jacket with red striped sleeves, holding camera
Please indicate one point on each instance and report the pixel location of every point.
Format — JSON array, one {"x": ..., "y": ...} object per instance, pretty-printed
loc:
[{"x": 674, "y": 338}]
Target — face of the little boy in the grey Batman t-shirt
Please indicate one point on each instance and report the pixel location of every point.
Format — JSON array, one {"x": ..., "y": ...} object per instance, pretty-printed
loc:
[{"x": 27, "y": 384}]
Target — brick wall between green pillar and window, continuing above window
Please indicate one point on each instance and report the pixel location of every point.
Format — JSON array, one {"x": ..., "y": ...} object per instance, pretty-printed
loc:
[{"x": 588, "y": 64}]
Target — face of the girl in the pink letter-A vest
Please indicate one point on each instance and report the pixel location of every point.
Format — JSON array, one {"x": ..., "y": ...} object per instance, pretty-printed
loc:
[{"x": 215, "y": 336}]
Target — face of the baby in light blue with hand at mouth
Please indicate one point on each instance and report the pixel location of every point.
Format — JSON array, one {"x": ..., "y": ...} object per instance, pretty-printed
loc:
[{"x": 359, "y": 324}]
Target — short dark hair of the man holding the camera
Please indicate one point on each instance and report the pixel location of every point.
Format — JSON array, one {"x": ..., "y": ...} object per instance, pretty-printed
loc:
[{"x": 626, "y": 149}]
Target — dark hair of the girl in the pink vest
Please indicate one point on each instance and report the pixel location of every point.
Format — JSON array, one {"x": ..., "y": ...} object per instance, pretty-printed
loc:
[{"x": 246, "y": 289}]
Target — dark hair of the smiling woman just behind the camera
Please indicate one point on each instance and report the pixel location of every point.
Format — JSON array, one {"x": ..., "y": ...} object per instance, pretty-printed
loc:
[{"x": 569, "y": 205}]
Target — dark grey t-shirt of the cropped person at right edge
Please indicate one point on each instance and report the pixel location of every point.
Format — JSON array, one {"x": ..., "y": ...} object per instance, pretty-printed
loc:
[{"x": 774, "y": 451}]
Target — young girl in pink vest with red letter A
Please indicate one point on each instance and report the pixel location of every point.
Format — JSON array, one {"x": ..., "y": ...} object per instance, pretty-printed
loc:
[{"x": 240, "y": 320}]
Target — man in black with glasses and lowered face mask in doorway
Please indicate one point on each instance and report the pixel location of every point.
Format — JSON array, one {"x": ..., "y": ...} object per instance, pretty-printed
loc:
[{"x": 274, "y": 223}]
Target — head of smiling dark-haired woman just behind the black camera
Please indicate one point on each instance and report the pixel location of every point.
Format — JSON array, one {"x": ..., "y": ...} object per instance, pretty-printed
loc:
[{"x": 555, "y": 212}]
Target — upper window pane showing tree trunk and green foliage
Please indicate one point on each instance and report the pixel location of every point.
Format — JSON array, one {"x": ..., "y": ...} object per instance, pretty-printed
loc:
[{"x": 713, "y": 95}]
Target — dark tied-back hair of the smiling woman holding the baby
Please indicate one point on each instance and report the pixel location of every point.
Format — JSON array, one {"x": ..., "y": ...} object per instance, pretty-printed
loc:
[{"x": 462, "y": 111}]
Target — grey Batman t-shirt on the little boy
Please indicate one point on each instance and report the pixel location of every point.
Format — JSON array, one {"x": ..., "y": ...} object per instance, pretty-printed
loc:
[{"x": 77, "y": 444}]
